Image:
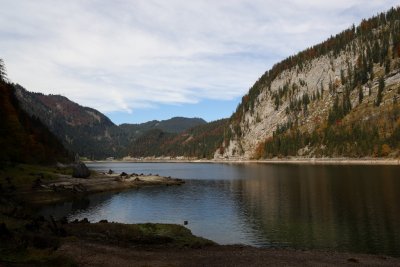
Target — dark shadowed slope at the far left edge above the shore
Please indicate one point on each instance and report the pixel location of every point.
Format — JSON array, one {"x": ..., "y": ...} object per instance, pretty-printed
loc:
[{"x": 24, "y": 138}]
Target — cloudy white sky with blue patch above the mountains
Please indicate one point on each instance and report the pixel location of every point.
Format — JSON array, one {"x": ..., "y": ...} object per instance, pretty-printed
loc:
[{"x": 139, "y": 60}]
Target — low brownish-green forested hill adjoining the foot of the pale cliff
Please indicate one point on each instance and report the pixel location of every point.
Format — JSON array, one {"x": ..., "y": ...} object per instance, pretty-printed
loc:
[{"x": 197, "y": 142}]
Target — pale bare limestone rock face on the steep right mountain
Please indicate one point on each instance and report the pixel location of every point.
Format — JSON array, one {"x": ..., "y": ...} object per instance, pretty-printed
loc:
[{"x": 260, "y": 123}]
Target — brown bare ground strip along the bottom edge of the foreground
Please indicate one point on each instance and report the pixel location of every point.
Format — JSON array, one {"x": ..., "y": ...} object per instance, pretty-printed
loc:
[{"x": 92, "y": 254}]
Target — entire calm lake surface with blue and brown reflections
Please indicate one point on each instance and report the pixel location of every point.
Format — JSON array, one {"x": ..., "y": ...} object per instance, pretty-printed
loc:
[{"x": 346, "y": 208}]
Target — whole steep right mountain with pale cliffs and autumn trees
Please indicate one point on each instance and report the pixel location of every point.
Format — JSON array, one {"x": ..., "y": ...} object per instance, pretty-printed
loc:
[{"x": 338, "y": 98}]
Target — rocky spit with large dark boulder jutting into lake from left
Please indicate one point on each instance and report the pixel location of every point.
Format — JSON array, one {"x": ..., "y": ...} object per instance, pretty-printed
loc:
[{"x": 38, "y": 185}]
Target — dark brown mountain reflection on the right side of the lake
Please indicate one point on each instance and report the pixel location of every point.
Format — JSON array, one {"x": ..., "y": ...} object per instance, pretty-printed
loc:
[{"x": 344, "y": 207}]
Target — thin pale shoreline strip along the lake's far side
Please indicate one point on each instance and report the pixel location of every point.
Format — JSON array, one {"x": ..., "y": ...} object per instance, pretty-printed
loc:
[{"x": 312, "y": 161}]
